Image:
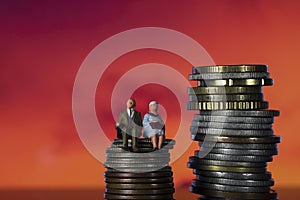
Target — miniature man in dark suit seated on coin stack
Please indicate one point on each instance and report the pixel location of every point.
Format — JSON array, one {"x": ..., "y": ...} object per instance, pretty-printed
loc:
[{"x": 130, "y": 123}]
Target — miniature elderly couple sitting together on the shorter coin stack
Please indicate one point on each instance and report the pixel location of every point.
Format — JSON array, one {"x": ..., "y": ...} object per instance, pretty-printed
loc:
[{"x": 130, "y": 125}]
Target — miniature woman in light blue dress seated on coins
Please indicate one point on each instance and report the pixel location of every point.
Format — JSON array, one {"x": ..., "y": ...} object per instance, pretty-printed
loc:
[{"x": 154, "y": 127}]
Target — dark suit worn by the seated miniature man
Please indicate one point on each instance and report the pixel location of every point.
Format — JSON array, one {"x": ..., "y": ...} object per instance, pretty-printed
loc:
[{"x": 130, "y": 127}]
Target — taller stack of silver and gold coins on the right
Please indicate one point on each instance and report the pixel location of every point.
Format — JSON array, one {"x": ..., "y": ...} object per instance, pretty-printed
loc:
[{"x": 234, "y": 131}]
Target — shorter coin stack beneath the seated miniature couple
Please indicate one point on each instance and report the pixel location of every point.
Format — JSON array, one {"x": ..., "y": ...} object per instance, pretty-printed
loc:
[{"x": 145, "y": 174}]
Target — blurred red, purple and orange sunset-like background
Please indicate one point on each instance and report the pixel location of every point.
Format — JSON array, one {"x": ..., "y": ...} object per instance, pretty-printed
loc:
[{"x": 43, "y": 44}]
